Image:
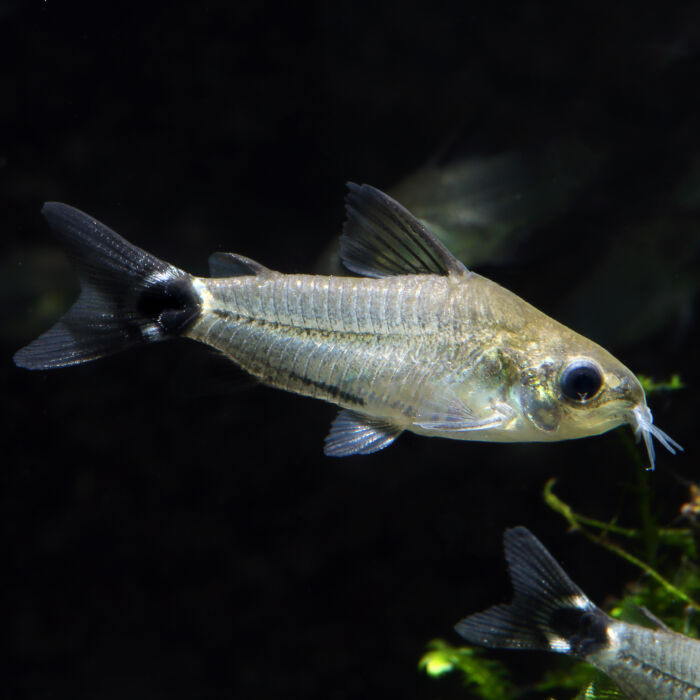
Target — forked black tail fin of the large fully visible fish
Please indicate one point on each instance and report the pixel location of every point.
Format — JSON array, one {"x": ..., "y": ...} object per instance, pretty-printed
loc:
[{"x": 128, "y": 297}]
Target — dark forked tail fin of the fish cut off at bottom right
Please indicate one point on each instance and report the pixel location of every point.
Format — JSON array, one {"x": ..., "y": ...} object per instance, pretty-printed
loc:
[{"x": 549, "y": 611}]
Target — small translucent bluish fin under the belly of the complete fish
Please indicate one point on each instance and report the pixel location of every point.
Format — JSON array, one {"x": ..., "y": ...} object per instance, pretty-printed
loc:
[{"x": 353, "y": 433}]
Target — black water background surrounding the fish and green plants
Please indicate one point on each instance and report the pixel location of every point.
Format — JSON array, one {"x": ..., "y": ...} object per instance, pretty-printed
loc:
[{"x": 162, "y": 539}]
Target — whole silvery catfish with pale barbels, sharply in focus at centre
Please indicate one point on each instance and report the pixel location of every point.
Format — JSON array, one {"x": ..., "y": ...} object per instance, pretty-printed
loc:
[{"x": 417, "y": 343}]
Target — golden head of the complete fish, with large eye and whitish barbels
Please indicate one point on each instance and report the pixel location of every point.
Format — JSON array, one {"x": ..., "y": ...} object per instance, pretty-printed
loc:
[{"x": 587, "y": 392}]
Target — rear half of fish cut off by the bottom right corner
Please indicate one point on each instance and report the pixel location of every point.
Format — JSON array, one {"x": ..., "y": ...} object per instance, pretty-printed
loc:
[{"x": 550, "y": 612}]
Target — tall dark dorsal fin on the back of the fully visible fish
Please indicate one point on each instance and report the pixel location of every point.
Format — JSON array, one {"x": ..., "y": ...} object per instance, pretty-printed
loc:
[{"x": 381, "y": 238}]
